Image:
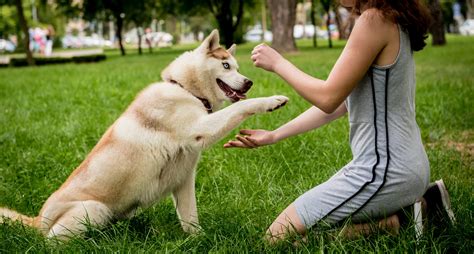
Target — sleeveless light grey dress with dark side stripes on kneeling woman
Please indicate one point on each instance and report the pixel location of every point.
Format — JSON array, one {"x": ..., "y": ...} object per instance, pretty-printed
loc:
[{"x": 389, "y": 169}]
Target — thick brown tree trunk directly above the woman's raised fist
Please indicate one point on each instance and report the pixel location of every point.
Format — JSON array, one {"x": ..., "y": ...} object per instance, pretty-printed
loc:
[{"x": 283, "y": 14}]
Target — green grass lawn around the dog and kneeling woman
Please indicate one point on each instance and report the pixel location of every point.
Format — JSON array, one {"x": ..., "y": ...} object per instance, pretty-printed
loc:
[{"x": 52, "y": 116}]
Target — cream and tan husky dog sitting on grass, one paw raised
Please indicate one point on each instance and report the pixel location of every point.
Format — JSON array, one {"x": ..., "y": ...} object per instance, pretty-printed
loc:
[{"x": 152, "y": 149}]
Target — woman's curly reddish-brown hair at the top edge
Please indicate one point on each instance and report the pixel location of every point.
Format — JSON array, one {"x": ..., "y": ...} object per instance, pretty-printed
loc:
[{"x": 412, "y": 15}]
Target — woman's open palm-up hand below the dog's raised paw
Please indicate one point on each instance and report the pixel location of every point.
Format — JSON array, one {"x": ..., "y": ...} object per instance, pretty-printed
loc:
[{"x": 252, "y": 139}]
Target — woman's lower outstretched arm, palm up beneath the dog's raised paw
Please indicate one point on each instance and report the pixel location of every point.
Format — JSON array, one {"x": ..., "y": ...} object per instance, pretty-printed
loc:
[{"x": 310, "y": 119}]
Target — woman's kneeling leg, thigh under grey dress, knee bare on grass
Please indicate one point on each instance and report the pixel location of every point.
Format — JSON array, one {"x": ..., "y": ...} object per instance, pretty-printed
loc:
[{"x": 347, "y": 194}]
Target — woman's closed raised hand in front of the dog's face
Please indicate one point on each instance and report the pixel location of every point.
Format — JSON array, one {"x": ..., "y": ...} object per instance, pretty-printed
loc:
[{"x": 265, "y": 57}]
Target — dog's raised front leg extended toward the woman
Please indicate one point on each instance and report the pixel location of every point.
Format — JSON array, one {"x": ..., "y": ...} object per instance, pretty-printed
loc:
[{"x": 213, "y": 127}]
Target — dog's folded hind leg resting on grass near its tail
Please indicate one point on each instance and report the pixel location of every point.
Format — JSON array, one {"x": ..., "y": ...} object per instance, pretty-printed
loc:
[{"x": 75, "y": 220}]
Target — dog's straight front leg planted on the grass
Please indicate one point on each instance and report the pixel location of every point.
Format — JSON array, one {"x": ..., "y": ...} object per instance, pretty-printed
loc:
[{"x": 184, "y": 198}]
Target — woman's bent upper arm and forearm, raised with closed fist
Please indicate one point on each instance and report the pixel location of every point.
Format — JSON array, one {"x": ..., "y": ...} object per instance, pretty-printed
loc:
[{"x": 367, "y": 40}]
